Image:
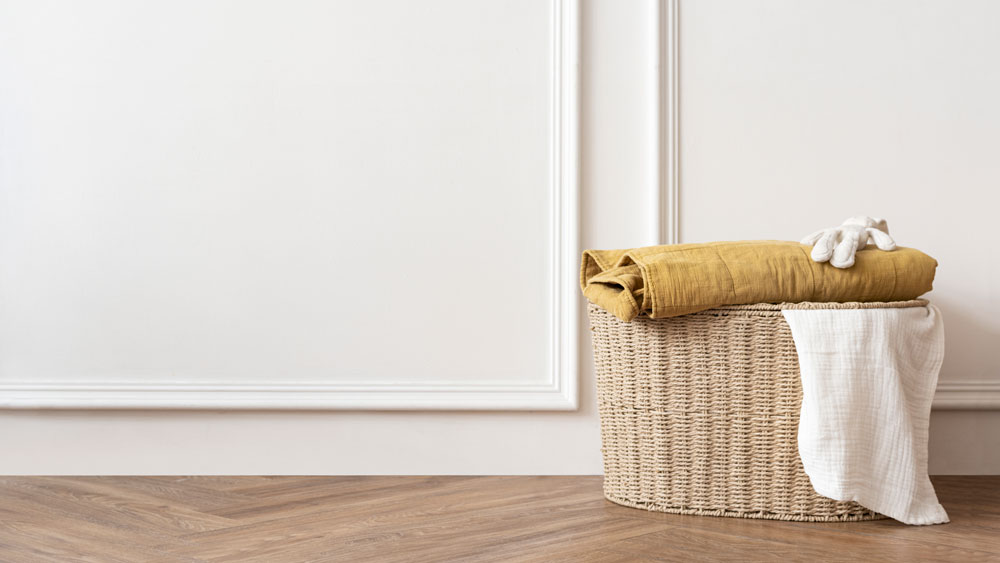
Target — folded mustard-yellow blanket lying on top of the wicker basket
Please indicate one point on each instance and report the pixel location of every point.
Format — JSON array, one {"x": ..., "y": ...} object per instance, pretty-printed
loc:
[{"x": 666, "y": 281}]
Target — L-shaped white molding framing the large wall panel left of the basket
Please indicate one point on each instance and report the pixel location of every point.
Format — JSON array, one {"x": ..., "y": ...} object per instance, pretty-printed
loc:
[{"x": 559, "y": 392}]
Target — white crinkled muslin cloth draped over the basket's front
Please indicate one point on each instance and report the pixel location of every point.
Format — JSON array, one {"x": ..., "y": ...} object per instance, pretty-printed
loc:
[{"x": 868, "y": 379}]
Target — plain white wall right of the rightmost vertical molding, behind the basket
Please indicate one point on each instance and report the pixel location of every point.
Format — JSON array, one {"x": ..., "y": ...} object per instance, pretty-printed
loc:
[{"x": 796, "y": 115}]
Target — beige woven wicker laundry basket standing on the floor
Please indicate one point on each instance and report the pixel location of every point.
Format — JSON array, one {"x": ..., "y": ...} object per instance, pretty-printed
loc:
[{"x": 699, "y": 414}]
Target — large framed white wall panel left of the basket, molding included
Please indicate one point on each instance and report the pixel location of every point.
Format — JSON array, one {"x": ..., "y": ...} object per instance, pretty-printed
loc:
[{"x": 262, "y": 193}]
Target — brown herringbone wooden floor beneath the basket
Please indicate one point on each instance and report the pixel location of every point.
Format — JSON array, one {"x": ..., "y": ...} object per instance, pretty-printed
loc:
[{"x": 413, "y": 519}]
